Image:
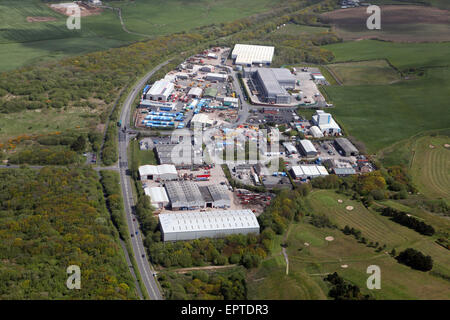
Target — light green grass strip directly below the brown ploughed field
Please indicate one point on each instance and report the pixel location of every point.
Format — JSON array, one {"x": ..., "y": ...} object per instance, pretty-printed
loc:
[{"x": 401, "y": 55}]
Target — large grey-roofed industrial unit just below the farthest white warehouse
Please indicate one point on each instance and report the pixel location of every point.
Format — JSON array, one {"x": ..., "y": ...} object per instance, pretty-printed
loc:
[{"x": 273, "y": 83}]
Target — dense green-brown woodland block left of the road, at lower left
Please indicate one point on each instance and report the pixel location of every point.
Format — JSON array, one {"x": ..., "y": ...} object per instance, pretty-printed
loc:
[{"x": 51, "y": 219}]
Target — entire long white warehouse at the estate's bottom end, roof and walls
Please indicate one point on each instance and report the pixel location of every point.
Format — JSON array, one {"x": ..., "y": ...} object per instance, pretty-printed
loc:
[{"x": 212, "y": 224}]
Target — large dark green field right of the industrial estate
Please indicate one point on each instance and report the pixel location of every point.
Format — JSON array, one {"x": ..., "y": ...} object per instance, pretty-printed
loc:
[{"x": 380, "y": 115}]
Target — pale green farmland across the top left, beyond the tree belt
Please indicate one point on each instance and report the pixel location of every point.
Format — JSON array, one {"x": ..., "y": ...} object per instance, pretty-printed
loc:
[{"x": 24, "y": 43}]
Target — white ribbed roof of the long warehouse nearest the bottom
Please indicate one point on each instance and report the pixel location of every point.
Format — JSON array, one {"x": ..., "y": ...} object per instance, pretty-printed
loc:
[{"x": 207, "y": 221}]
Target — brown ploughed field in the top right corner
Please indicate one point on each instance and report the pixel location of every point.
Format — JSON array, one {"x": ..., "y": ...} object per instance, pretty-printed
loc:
[{"x": 400, "y": 23}]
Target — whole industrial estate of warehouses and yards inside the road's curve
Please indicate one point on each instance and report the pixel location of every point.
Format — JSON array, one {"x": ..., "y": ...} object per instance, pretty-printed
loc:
[{"x": 205, "y": 92}]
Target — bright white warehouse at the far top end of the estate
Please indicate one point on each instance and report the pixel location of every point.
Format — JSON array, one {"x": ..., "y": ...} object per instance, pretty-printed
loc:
[{"x": 247, "y": 55}]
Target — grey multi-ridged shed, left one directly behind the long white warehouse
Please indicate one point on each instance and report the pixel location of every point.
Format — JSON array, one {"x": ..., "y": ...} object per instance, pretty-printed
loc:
[{"x": 184, "y": 195}]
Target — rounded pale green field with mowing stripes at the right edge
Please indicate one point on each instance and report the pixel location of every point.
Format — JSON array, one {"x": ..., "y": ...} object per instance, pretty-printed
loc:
[{"x": 431, "y": 166}]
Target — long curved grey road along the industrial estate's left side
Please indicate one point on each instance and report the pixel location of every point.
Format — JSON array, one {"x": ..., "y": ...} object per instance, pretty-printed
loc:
[{"x": 144, "y": 267}]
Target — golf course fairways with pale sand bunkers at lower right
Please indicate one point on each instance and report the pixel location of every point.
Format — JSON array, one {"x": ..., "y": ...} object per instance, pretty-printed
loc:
[{"x": 308, "y": 265}]
